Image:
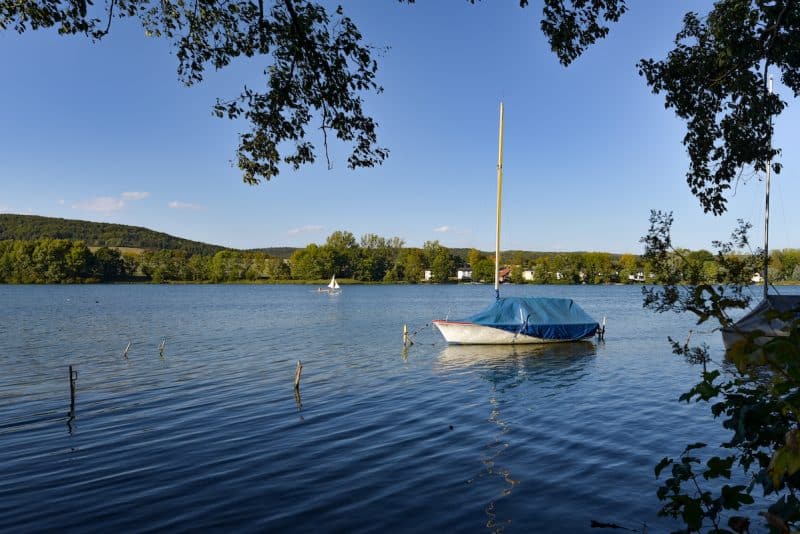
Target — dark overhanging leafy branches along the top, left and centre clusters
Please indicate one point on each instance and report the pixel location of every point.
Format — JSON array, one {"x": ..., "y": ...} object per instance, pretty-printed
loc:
[{"x": 316, "y": 65}]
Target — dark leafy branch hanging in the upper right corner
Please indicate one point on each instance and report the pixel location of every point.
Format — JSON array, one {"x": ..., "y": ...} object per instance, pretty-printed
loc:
[{"x": 716, "y": 79}]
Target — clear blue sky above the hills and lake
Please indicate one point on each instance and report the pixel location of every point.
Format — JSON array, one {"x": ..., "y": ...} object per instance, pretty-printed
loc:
[{"x": 106, "y": 132}]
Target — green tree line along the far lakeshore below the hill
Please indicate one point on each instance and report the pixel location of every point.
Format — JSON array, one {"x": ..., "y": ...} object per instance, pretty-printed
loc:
[{"x": 371, "y": 258}]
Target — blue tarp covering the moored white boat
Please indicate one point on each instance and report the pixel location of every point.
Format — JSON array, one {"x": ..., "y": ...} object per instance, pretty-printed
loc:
[{"x": 546, "y": 318}]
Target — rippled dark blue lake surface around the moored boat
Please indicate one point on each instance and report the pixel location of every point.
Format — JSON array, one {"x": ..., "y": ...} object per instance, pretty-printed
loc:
[{"x": 210, "y": 436}]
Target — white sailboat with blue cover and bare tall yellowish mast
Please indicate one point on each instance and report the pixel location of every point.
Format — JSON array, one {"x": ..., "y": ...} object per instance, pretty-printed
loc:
[{"x": 518, "y": 320}]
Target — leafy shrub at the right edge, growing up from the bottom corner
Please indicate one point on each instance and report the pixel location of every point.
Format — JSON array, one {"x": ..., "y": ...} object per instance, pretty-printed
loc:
[{"x": 756, "y": 393}]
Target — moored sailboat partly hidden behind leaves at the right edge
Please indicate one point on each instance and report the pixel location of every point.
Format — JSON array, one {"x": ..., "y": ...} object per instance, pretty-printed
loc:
[{"x": 757, "y": 319}]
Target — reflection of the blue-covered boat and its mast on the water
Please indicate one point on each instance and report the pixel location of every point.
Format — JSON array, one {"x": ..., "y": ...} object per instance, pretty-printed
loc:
[{"x": 506, "y": 367}]
